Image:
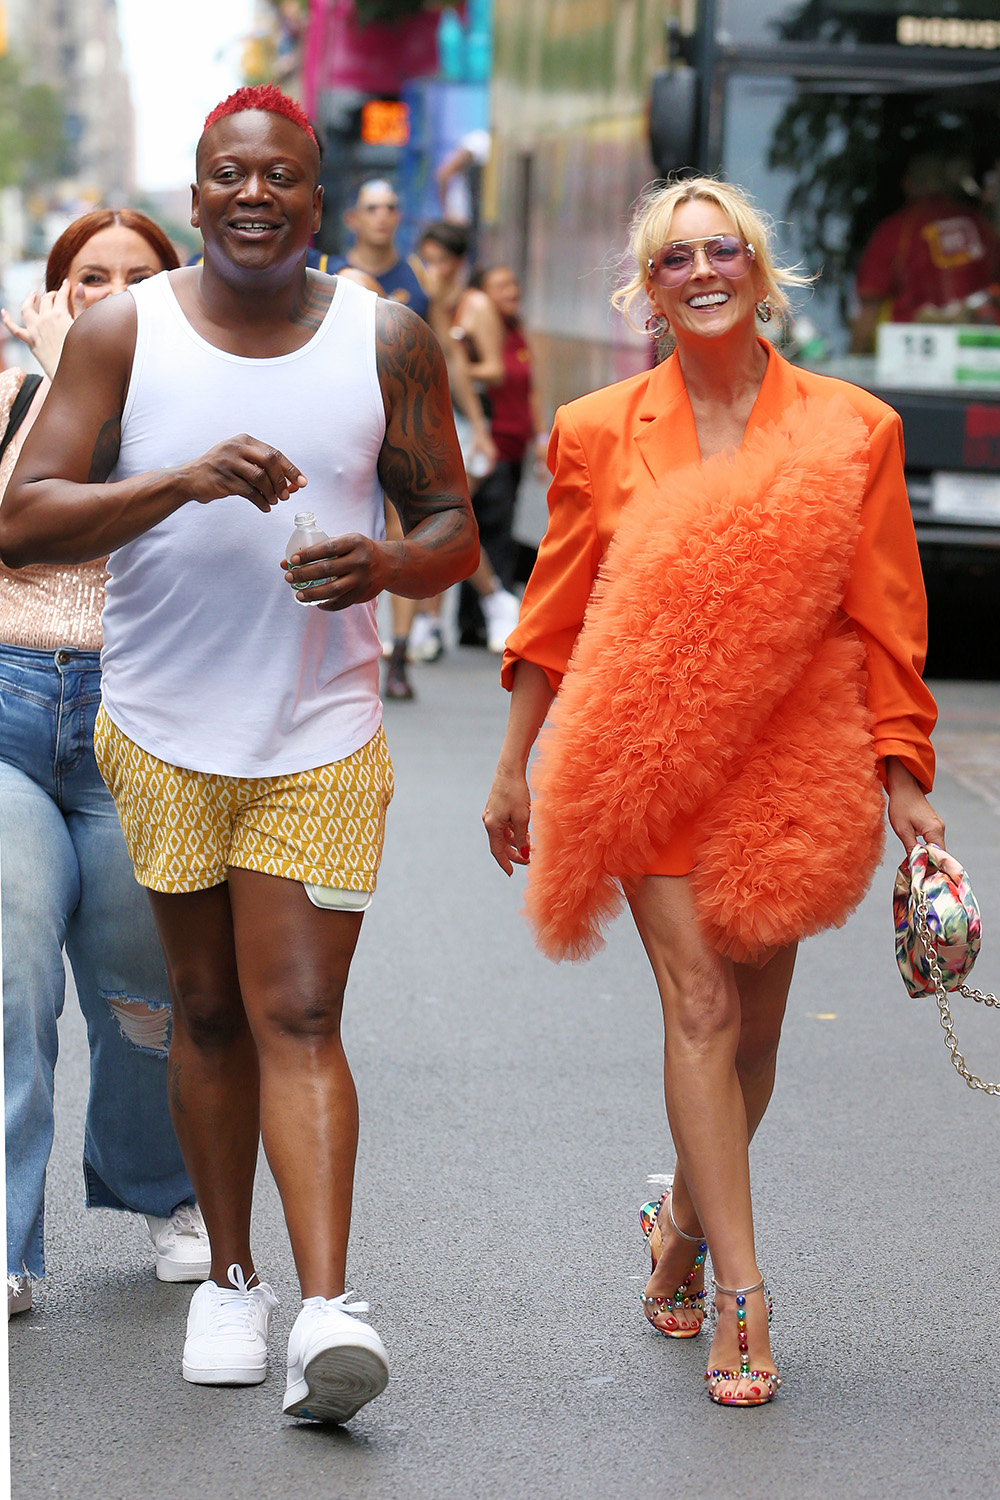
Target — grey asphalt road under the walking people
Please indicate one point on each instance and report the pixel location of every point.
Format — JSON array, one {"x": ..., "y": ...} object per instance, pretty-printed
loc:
[{"x": 512, "y": 1115}]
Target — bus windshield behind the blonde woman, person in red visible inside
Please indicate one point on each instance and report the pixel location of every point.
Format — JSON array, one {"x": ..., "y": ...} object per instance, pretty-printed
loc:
[{"x": 899, "y": 185}]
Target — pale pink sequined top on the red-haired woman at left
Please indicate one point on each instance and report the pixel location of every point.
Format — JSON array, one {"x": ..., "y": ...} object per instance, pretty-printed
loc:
[{"x": 47, "y": 605}]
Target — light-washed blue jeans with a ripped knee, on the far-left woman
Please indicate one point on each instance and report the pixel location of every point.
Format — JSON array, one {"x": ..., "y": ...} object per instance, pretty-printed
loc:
[{"x": 67, "y": 881}]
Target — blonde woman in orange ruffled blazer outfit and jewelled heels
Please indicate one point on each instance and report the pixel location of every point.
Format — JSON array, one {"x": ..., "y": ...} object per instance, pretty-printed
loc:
[{"x": 744, "y": 686}]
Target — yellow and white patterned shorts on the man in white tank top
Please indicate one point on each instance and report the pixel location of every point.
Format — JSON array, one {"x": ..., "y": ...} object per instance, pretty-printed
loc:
[{"x": 184, "y": 829}]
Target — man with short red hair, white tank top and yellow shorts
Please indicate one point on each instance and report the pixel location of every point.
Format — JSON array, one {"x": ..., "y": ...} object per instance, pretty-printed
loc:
[{"x": 241, "y": 733}]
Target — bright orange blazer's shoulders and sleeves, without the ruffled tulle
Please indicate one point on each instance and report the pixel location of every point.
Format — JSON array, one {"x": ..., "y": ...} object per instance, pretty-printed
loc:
[{"x": 618, "y": 440}]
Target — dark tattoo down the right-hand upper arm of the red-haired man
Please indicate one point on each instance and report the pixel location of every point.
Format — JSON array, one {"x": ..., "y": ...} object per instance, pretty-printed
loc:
[{"x": 416, "y": 452}]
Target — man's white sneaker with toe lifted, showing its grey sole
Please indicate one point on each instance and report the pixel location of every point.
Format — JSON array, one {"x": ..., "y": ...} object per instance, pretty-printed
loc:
[{"x": 335, "y": 1361}]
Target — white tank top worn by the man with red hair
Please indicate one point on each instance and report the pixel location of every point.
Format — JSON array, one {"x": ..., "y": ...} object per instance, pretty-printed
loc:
[{"x": 209, "y": 659}]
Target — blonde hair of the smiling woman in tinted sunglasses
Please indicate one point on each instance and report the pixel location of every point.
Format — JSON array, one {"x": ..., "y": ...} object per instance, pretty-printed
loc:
[{"x": 650, "y": 232}]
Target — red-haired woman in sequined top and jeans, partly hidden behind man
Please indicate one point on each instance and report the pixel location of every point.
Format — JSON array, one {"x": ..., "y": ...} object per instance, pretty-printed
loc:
[{"x": 67, "y": 877}]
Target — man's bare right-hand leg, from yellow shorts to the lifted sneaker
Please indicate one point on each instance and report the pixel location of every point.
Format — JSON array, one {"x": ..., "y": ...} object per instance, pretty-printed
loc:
[{"x": 295, "y": 962}]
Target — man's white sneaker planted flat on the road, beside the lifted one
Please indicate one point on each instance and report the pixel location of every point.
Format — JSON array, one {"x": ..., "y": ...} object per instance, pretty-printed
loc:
[{"x": 227, "y": 1333}]
